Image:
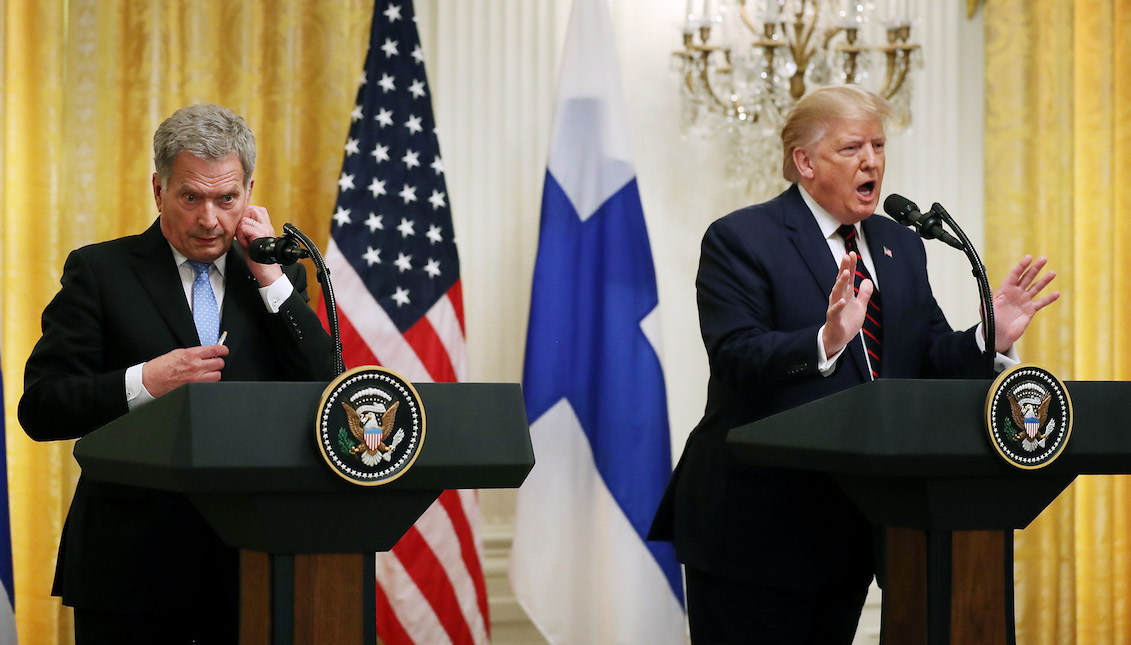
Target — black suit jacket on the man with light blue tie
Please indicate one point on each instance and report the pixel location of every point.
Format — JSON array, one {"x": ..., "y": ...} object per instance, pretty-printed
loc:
[{"x": 122, "y": 303}]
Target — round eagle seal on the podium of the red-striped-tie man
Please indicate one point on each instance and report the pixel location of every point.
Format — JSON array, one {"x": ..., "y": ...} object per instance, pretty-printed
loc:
[{"x": 1029, "y": 417}]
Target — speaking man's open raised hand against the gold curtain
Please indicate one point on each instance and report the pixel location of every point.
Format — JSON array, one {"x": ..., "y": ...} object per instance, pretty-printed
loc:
[{"x": 1020, "y": 299}]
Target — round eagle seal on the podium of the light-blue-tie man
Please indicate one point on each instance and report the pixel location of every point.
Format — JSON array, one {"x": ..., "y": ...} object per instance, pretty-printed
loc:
[{"x": 370, "y": 426}]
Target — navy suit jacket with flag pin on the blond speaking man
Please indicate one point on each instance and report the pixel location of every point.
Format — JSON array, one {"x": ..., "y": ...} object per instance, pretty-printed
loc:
[{"x": 764, "y": 285}]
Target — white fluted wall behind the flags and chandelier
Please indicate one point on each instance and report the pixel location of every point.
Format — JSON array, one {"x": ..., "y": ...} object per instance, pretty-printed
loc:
[{"x": 494, "y": 73}]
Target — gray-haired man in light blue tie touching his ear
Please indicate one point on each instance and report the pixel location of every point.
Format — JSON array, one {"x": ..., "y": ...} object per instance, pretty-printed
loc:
[{"x": 136, "y": 319}]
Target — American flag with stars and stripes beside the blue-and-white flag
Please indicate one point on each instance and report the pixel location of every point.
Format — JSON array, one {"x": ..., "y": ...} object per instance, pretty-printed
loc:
[{"x": 396, "y": 274}]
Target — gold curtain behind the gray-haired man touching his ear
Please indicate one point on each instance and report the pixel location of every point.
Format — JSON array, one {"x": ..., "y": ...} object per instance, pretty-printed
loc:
[{"x": 85, "y": 83}]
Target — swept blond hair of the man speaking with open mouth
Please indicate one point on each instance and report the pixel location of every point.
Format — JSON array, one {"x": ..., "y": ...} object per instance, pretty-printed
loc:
[{"x": 809, "y": 121}]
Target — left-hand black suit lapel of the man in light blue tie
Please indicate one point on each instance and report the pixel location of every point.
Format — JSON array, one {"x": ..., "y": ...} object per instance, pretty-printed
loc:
[{"x": 153, "y": 265}]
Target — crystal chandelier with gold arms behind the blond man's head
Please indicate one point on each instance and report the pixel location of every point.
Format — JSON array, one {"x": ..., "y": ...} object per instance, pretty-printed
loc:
[{"x": 745, "y": 64}]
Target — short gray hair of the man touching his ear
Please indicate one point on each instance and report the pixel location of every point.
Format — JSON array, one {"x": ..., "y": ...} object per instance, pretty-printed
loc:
[{"x": 209, "y": 133}]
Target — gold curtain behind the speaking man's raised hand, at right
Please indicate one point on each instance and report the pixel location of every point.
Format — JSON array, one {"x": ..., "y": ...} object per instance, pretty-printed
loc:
[{"x": 1058, "y": 145}]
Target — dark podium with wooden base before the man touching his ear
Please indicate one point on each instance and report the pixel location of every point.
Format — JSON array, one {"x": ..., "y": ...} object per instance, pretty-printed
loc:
[{"x": 246, "y": 455}]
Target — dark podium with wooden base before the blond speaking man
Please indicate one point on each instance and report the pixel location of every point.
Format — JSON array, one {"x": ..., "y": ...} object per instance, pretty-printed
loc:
[{"x": 917, "y": 460}]
